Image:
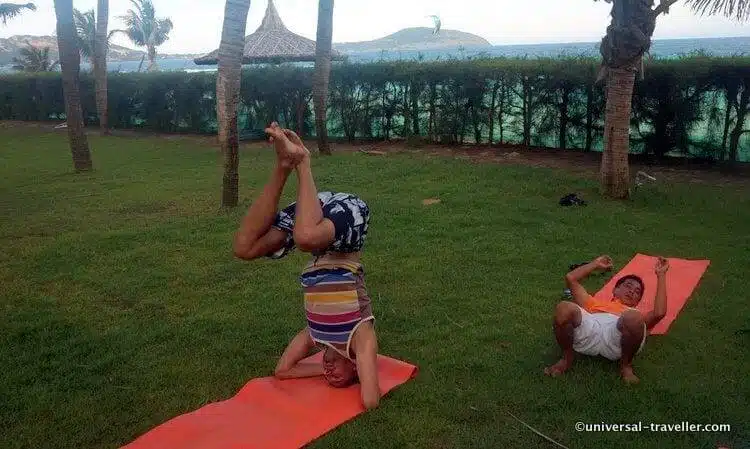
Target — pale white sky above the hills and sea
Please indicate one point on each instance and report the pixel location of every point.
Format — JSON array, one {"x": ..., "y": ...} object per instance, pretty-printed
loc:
[{"x": 197, "y": 23}]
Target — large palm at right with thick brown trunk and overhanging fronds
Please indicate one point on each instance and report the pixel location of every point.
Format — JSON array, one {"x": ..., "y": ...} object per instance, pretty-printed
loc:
[{"x": 628, "y": 38}]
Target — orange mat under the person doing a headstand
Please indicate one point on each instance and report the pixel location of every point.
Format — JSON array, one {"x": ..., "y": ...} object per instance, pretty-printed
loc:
[{"x": 271, "y": 414}]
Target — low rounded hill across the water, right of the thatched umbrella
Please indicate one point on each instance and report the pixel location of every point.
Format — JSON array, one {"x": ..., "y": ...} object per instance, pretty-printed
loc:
[{"x": 416, "y": 39}]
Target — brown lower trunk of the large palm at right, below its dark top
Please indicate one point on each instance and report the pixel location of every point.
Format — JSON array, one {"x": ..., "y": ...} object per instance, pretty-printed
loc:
[{"x": 614, "y": 169}]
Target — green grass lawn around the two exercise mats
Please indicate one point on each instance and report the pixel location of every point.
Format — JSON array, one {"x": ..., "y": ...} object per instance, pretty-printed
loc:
[{"x": 123, "y": 307}]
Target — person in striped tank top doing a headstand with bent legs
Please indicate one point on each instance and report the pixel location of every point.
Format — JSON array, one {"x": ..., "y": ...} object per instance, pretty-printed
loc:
[{"x": 332, "y": 227}]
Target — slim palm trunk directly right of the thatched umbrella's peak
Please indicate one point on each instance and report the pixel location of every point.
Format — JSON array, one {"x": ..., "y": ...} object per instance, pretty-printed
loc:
[{"x": 322, "y": 71}]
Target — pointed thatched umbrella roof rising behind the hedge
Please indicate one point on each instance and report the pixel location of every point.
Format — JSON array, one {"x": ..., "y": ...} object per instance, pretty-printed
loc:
[{"x": 272, "y": 43}]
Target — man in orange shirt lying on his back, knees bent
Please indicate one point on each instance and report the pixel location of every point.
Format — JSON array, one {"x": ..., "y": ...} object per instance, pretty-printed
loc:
[{"x": 613, "y": 329}]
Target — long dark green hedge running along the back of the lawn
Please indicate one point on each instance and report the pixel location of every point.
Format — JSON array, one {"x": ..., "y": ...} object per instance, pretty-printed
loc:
[{"x": 692, "y": 106}]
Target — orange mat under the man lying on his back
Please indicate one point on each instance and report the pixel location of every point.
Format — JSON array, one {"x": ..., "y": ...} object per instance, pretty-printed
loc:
[{"x": 682, "y": 278}]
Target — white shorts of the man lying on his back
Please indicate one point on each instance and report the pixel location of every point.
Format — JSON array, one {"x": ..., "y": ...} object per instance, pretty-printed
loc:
[{"x": 598, "y": 335}]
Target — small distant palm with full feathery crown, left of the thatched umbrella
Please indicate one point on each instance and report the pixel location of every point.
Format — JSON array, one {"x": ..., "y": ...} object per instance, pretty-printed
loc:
[{"x": 145, "y": 30}]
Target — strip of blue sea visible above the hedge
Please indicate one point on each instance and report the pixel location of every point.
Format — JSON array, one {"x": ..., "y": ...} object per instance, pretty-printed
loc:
[{"x": 660, "y": 48}]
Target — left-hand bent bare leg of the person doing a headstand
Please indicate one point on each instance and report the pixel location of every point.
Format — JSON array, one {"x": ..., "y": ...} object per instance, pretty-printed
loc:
[{"x": 255, "y": 237}]
